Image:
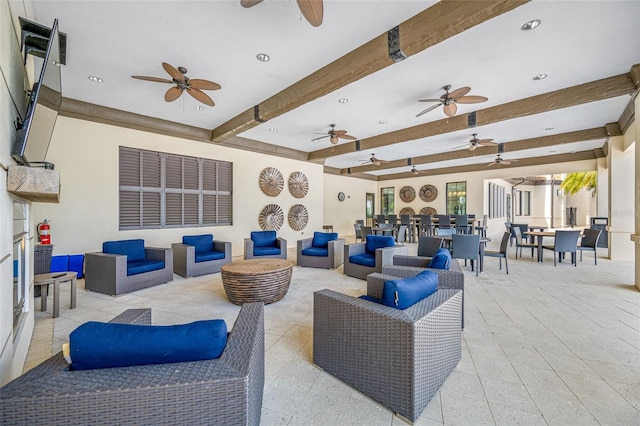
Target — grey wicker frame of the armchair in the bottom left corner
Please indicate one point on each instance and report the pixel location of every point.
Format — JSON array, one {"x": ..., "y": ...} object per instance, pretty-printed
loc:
[{"x": 223, "y": 391}]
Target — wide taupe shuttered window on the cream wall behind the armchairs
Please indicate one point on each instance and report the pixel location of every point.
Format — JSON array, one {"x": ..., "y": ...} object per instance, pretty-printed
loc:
[{"x": 159, "y": 190}]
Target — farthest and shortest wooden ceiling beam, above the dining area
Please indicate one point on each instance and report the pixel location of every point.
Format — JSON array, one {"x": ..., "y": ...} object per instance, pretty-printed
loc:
[{"x": 534, "y": 161}]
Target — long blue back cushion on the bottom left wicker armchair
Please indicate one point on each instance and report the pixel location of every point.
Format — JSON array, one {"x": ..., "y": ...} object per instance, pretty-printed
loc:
[{"x": 106, "y": 345}]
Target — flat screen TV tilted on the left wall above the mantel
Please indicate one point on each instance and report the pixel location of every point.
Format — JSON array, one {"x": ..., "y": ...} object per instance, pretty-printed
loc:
[{"x": 34, "y": 134}]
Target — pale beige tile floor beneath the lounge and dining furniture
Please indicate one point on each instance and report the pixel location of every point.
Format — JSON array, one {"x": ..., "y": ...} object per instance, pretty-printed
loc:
[{"x": 542, "y": 345}]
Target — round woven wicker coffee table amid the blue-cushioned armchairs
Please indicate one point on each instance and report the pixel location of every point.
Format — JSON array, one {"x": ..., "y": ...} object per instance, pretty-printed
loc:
[{"x": 256, "y": 280}]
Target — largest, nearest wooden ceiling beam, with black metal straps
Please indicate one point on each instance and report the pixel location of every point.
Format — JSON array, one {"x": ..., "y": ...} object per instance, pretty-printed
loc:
[{"x": 428, "y": 28}]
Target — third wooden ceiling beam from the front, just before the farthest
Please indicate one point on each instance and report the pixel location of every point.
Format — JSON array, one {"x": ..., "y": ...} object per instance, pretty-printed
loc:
[{"x": 519, "y": 145}]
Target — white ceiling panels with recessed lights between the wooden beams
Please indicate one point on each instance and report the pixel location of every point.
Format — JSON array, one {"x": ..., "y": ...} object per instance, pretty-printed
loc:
[{"x": 577, "y": 42}]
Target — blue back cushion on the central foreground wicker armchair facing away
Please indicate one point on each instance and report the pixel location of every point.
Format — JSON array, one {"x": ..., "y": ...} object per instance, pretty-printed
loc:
[{"x": 404, "y": 292}]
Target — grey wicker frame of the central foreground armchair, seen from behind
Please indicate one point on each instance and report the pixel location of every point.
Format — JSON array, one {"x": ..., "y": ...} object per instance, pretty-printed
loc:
[{"x": 399, "y": 358}]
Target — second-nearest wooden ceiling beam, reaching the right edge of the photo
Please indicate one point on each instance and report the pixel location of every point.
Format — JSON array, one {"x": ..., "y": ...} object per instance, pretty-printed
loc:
[{"x": 584, "y": 93}]
